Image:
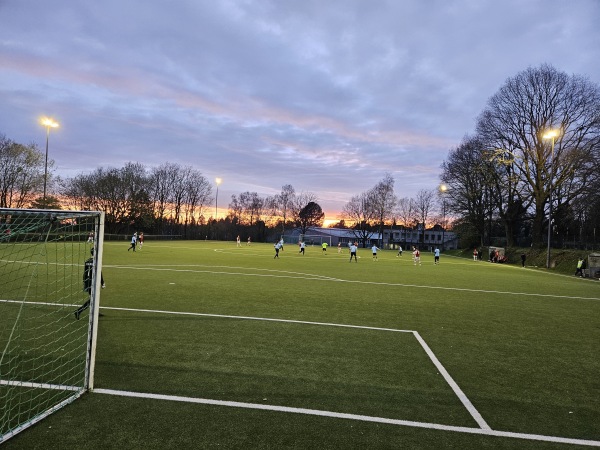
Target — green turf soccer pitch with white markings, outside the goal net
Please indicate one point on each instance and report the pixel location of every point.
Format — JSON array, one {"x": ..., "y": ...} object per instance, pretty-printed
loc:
[{"x": 210, "y": 321}]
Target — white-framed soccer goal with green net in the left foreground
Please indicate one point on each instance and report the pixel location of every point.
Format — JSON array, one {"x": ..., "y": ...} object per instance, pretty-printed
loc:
[{"x": 50, "y": 265}]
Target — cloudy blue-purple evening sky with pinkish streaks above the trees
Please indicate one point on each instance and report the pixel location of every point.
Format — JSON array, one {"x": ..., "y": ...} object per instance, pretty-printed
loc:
[{"x": 327, "y": 96}]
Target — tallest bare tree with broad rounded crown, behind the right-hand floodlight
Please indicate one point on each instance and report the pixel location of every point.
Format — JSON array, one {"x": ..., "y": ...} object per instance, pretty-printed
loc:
[{"x": 523, "y": 111}]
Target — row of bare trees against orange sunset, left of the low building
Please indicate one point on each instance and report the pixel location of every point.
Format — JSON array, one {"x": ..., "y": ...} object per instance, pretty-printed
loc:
[{"x": 170, "y": 199}]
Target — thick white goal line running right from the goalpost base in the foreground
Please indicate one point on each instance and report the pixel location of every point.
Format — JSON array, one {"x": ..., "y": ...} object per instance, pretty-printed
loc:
[{"x": 337, "y": 415}]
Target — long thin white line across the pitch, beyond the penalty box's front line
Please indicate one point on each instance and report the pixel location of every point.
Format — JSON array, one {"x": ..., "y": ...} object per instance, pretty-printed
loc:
[{"x": 340, "y": 280}]
